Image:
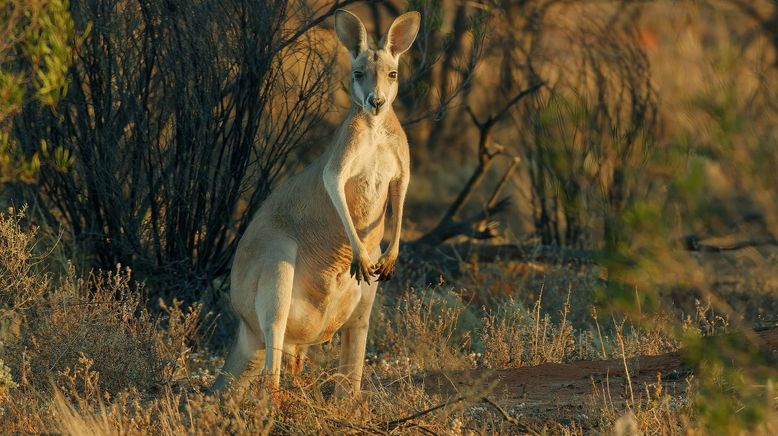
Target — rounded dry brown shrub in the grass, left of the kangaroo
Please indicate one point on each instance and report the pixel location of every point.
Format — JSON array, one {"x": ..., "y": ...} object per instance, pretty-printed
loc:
[{"x": 100, "y": 317}]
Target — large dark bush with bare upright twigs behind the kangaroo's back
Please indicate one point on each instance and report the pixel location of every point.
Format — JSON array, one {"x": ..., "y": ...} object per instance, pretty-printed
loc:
[{"x": 179, "y": 118}]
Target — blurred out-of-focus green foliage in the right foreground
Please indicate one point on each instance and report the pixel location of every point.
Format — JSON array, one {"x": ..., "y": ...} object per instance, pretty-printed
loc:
[{"x": 709, "y": 179}]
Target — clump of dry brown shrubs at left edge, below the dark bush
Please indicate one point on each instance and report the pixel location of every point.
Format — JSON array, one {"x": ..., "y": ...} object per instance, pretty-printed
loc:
[{"x": 100, "y": 317}]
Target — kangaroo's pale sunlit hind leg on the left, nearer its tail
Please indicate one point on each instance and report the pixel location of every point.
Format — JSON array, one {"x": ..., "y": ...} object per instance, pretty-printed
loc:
[{"x": 273, "y": 298}]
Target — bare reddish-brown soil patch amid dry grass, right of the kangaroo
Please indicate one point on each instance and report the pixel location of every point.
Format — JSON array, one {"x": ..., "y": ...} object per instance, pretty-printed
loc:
[{"x": 563, "y": 389}]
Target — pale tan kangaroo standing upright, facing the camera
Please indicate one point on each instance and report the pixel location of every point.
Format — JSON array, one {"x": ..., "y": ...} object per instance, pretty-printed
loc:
[{"x": 306, "y": 265}]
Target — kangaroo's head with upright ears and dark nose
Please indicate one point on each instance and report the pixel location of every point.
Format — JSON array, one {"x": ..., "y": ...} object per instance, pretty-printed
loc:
[{"x": 374, "y": 71}]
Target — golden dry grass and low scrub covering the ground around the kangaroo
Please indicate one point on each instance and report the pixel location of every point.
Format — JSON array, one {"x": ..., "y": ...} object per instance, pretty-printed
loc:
[{"x": 83, "y": 355}]
